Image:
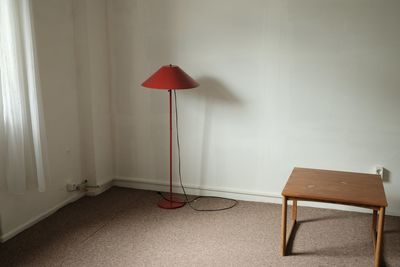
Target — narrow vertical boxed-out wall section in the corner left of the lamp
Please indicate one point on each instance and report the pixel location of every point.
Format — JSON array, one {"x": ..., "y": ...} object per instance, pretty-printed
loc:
[{"x": 94, "y": 95}]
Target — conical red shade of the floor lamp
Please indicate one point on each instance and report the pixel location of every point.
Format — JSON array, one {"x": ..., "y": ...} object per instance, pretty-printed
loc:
[{"x": 170, "y": 77}]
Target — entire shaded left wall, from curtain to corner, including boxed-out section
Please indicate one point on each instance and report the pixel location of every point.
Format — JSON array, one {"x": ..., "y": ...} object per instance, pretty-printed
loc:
[{"x": 73, "y": 63}]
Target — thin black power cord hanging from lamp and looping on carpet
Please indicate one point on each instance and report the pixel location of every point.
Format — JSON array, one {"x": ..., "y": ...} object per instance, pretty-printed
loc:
[{"x": 189, "y": 202}]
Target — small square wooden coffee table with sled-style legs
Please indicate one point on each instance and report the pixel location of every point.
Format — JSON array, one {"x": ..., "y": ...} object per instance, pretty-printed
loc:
[{"x": 347, "y": 188}]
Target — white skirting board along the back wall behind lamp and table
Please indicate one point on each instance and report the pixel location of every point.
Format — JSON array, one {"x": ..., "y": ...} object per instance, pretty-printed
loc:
[{"x": 268, "y": 197}]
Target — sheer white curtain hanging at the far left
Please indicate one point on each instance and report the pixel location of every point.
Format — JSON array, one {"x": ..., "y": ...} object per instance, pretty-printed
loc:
[{"x": 22, "y": 136}]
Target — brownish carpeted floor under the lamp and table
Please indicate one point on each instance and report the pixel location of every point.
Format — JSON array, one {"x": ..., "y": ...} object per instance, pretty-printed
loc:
[{"x": 124, "y": 227}]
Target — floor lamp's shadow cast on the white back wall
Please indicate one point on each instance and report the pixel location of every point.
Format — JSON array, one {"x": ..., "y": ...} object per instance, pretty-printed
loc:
[{"x": 215, "y": 94}]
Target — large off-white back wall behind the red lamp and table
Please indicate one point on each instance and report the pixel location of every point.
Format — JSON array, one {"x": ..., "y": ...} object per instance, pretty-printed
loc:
[{"x": 283, "y": 83}]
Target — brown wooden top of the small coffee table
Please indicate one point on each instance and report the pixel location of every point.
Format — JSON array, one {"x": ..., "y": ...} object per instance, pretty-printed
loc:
[{"x": 347, "y": 188}]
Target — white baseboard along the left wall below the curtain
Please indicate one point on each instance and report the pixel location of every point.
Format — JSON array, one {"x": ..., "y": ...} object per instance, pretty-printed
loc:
[{"x": 31, "y": 222}]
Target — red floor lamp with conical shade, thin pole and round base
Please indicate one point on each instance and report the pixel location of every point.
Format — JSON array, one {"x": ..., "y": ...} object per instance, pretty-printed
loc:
[{"x": 170, "y": 78}]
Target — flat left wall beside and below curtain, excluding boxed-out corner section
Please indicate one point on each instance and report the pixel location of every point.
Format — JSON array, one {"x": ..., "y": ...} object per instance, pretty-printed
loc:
[{"x": 55, "y": 47}]
